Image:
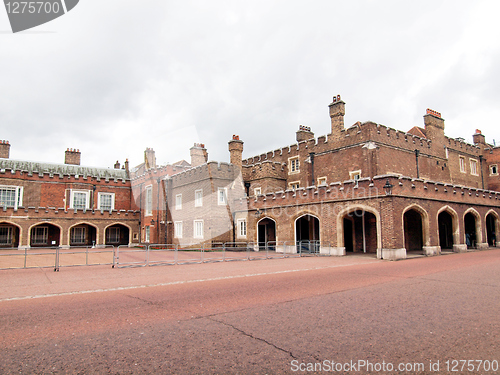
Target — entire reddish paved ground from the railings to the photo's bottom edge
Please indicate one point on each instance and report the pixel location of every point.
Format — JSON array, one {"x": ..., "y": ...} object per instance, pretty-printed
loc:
[{"x": 261, "y": 317}]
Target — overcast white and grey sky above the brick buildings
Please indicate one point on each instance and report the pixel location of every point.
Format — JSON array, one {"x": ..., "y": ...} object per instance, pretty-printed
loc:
[{"x": 112, "y": 77}]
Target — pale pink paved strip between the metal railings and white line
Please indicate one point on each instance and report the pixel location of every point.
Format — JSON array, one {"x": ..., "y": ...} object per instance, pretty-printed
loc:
[{"x": 44, "y": 282}]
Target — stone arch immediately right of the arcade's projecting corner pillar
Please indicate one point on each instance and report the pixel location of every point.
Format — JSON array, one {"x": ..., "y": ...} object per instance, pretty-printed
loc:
[{"x": 415, "y": 228}]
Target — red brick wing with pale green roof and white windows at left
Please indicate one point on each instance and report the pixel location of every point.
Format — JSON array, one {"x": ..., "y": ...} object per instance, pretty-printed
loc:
[{"x": 45, "y": 204}]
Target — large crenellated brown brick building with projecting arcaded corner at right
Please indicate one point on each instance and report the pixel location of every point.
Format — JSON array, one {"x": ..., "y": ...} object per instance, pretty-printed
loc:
[{"x": 371, "y": 188}]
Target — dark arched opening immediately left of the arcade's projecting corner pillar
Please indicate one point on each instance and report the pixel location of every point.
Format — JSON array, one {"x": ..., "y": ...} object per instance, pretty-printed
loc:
[{"x": 360, "y": 232}]
